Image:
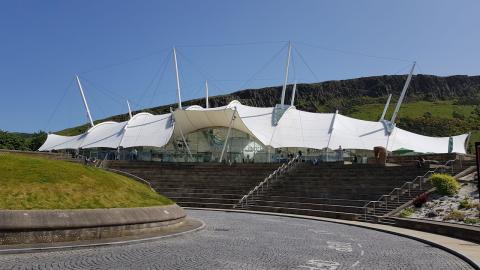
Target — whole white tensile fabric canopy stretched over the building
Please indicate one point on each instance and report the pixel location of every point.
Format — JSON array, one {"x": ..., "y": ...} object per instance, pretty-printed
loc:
[{"x": 294, "y": 129}]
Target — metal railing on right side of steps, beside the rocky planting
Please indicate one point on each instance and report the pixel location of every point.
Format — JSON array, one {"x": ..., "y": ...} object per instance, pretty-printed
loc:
[{"x": 406, "y": 187}]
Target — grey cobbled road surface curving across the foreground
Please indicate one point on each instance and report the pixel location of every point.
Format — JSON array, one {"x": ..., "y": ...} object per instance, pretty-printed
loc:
[{"x": 250, "y": 241}]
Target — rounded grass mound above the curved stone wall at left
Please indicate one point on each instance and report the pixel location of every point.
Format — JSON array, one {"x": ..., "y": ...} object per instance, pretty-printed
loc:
[{"x": 36, "y": 183}]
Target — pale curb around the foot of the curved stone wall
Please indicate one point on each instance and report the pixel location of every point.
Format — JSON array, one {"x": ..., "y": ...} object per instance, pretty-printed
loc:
[{"x": 126, "y": 242}]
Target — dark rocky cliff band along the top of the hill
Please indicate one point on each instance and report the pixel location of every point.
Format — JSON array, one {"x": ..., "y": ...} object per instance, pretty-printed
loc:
[{"x": 343, "y": 94}]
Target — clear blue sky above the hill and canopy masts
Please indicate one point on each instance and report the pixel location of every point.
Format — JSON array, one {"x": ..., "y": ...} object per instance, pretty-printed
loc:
[{"x": 122, "y": 49}]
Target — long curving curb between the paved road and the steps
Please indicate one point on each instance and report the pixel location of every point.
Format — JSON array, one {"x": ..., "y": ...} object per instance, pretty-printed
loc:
[{"x": 467, "y": 259}]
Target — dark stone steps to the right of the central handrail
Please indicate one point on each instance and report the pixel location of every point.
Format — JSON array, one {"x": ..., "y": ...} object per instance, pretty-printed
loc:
[{"x": 335, "y": 191}]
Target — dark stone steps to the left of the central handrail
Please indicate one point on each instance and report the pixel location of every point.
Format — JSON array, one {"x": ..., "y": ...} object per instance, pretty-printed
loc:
[{"x": 205, "y": 185}]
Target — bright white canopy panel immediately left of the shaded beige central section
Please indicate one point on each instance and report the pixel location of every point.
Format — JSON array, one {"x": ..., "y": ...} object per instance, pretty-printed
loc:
[{"x": 145, "y": 129}]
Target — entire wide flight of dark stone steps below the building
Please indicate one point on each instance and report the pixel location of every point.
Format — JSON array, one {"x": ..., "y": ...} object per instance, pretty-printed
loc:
[{"x": 331, "y": 190}]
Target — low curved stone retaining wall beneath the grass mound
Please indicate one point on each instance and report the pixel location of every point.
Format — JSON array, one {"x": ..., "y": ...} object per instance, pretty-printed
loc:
[{"x": 47, "y": 226}]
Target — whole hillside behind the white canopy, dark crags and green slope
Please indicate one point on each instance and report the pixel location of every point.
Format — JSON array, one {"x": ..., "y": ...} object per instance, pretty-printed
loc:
[{"x": 434, "y": 106}]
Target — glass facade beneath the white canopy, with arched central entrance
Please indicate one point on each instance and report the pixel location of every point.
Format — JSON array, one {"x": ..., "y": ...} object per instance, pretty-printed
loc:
[{"x": 206, "y": 145}]
